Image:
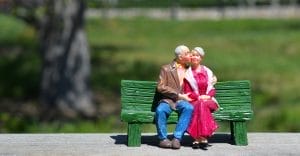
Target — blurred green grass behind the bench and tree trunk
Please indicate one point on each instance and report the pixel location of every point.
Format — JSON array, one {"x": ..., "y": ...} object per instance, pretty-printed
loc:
[{"x": 266, "y": 52}]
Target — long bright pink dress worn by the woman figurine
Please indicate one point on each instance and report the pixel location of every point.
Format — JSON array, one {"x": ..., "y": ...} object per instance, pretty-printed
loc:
[{"x": 202, "y": 123}]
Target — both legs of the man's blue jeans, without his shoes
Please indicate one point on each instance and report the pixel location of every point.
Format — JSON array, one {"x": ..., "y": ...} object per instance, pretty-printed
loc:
[{"x": 185, "y": 110}]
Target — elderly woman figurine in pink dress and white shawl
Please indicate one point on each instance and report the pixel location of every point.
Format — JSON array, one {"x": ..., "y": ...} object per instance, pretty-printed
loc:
[{"x": 199, "y": 84}]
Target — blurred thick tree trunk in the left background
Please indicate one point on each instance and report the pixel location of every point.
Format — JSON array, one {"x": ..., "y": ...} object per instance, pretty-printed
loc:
[{"x": 66, "y": 61}]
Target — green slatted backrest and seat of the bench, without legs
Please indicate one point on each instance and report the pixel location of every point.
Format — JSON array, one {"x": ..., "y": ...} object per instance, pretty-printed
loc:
[{"x": 234, "y": 98}]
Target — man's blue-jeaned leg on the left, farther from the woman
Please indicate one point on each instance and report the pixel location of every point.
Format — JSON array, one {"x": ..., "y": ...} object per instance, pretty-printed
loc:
[{"x": 161, "y": 115}]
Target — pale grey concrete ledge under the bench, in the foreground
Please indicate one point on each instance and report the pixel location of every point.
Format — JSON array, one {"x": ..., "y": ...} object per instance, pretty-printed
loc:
[{"x": 115, "y": 144}]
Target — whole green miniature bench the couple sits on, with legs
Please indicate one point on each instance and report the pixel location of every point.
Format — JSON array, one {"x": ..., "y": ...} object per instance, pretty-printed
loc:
[{"x": 139, "y": 100}]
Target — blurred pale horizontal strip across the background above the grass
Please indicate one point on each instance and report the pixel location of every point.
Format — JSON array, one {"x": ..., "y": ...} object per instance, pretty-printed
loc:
[{"x": 267, "y": 12}]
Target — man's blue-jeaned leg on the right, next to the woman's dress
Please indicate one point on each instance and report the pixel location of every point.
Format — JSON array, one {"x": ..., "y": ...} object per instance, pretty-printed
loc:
[{"x": 185, "y": 110}]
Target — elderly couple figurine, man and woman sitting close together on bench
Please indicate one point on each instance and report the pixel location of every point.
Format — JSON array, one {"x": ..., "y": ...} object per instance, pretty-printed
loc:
[{"x": 187, "y": 87}]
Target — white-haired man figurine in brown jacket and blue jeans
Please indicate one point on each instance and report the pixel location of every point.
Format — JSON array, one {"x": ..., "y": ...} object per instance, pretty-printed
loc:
[{"x": 170, "y": 86}]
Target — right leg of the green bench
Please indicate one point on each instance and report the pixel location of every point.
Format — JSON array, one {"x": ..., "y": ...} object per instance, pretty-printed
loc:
[{"x": 239, "y": 132}]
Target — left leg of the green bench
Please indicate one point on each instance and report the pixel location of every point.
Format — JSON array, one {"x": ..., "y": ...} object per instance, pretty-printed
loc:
[{"x": 134, "y": 135}]
